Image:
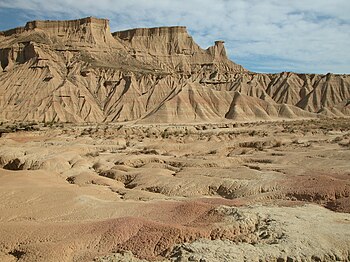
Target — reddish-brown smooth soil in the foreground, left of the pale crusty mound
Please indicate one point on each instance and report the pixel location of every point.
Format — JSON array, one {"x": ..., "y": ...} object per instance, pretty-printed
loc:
[{"x": 146, "y": 238}]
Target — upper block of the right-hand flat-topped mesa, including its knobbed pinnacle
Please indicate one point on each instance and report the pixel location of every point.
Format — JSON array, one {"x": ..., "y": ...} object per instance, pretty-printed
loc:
[{"x": 174, "y": 48}]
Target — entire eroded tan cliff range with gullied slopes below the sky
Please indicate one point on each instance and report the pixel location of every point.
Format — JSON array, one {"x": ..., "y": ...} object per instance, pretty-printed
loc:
[{"x": 77, "y": 71}]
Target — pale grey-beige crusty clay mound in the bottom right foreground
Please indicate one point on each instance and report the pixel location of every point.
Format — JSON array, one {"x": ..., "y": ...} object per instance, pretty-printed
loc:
[{"x": 298, "y": 226}]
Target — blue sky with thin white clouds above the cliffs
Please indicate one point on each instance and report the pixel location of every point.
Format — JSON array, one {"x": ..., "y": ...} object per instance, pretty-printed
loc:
[{"x": 306, "y": 36}]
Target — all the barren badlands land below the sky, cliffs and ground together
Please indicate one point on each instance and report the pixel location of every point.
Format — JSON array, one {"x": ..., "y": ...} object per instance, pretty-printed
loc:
[{"x": 141, "y": 146}]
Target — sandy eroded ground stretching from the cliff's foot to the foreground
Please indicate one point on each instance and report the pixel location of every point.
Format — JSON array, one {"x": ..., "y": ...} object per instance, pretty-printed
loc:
[{"x": 268, "y": 191}]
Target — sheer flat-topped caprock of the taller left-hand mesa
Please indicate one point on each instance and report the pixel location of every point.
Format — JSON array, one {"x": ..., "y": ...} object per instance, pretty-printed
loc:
[{"x": 90, "y": 30}]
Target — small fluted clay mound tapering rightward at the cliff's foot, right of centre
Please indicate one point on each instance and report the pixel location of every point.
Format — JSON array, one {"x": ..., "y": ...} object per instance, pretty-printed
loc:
[{"x": 245, "y": 108}]
